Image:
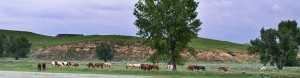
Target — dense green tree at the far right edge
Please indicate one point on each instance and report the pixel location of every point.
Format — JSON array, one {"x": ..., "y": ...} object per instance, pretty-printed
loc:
[{"x": 278, "y": 47}]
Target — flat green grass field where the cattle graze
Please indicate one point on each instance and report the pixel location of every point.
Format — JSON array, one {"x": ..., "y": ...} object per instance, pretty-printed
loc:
[{"x": 235, "y": 70}]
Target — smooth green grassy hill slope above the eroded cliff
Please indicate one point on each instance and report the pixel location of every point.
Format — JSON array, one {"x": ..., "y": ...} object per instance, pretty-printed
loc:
[{"x": 39, "y": 40}]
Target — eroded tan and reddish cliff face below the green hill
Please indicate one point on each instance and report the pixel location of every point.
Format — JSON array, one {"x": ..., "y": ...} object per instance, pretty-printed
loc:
[{"x": 130, "y": 52}]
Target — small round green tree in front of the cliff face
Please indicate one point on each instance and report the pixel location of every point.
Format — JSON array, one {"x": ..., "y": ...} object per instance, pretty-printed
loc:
[{"x": 105, "y": 52}]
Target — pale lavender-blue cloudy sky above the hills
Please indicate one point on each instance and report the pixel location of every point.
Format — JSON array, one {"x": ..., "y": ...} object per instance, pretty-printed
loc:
[{"x": 227, "y": 20}]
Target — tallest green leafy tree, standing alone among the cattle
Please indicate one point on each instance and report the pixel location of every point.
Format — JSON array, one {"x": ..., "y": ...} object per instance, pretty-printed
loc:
[{"x": 167, "y": 26}]
